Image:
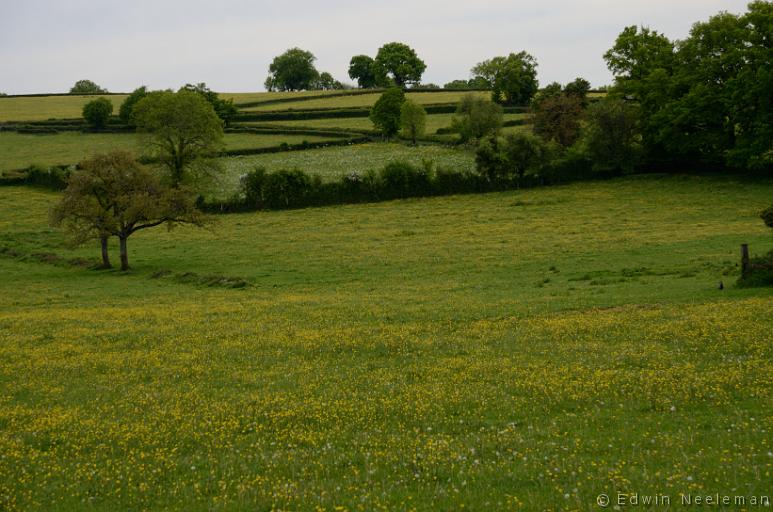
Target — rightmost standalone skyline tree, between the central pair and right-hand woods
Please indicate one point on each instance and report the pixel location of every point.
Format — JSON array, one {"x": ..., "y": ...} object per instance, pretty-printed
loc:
[{"x": 512, "y": 79}]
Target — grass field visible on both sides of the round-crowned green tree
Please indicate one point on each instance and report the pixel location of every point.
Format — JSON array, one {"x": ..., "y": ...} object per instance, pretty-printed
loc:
[{"x": 19, "y": 151}]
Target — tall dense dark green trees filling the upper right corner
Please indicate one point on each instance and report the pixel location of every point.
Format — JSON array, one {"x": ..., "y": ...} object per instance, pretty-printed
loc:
[{"x": 705, "y": 100}]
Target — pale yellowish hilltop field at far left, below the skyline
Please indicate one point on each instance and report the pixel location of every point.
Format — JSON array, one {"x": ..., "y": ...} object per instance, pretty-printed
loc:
[{"x": 49, "y": 107}]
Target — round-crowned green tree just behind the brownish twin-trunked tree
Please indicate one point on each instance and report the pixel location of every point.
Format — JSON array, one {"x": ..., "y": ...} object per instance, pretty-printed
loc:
[{"x": 182, "y": 129}]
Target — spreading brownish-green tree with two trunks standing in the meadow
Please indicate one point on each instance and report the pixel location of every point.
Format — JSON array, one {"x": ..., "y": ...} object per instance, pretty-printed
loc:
[{"x": 113, "y": 195}]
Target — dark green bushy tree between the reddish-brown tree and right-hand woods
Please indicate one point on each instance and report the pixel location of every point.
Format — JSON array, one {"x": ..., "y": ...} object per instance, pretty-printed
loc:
[{"x": 610, "y": 138}]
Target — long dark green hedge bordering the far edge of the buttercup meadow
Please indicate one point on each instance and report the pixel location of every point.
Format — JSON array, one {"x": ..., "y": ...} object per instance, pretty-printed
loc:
[{"x": 286, "y": 189}]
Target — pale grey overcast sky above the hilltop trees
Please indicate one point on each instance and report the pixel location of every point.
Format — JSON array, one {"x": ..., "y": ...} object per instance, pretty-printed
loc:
[{"x": 47, "y": 45}]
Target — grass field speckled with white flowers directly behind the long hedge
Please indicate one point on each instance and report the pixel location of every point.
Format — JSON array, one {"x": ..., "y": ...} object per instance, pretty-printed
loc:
[{"x": 333, "y": 162}]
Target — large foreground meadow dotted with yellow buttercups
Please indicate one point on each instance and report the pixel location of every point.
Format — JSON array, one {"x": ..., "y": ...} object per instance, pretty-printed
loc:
[{"x": 486, "y": 352}]
